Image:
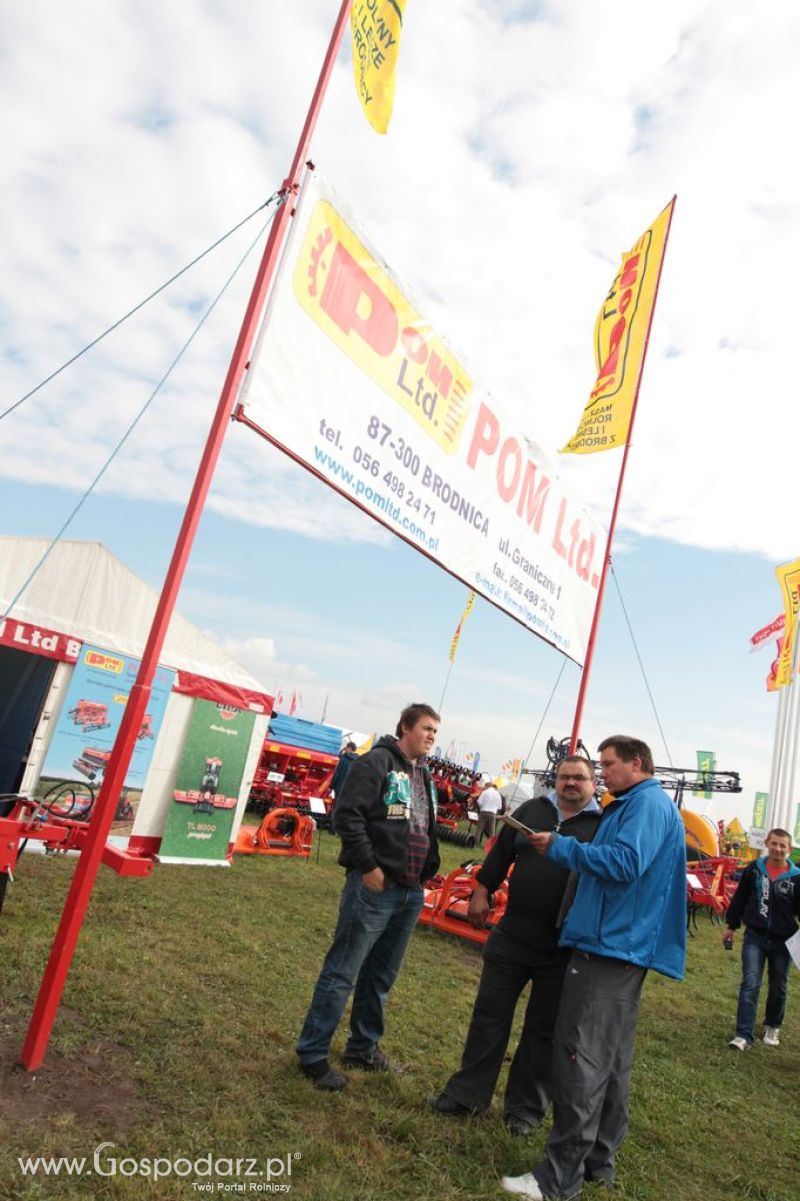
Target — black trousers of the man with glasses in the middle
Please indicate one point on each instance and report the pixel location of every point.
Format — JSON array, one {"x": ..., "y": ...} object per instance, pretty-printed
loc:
[{"x": 508, "y": 967}]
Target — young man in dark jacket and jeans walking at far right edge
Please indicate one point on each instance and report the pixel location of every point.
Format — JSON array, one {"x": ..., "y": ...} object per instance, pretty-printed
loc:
[{"x": 768, "y": 901}]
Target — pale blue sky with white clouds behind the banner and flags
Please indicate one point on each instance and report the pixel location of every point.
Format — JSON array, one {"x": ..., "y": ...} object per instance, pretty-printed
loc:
[{"x": 532, "y": 145}]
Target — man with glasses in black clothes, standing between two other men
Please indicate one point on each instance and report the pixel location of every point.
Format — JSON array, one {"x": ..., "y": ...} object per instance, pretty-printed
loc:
[{"x": 523, "y": 947}]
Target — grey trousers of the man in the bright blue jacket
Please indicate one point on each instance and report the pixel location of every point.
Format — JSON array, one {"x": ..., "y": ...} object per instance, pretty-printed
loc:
[{"x": 593, "y": 1057}]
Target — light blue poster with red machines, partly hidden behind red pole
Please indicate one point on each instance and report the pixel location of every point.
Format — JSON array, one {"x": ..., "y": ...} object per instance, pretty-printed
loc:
[{"x": 88, "y": 726}]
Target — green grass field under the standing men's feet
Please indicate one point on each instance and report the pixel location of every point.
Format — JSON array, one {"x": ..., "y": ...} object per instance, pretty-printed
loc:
[{"x": 176, "y": 1039}]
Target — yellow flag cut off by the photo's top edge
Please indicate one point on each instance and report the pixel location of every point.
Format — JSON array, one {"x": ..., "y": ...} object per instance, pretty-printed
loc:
[{"x": 377, "y": 27}]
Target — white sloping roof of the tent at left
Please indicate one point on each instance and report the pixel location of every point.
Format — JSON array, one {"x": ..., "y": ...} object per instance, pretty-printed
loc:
[{"x": 85, "y": 591}]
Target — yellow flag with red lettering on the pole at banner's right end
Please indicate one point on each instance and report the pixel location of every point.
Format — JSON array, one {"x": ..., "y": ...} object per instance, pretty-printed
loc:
[{"x": 620, "y": 342}]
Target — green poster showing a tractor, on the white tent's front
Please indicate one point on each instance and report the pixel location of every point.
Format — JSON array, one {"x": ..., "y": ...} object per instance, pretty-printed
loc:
[{"x": 207, "y": 788}]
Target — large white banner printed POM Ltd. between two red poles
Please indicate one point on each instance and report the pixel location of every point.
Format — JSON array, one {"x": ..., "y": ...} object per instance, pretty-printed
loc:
[{"x": 350, "y": 380}]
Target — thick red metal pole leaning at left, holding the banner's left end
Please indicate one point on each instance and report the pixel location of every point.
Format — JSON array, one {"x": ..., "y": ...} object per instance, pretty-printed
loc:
[{"x": 52, "y": 987}]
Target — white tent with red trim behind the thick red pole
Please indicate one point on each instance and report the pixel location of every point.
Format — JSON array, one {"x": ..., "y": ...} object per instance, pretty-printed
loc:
[{"x": 85, "y": 595}]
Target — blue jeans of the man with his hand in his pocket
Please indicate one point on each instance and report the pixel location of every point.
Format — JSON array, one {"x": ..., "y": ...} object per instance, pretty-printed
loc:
[{"x": 368, "y": 948}]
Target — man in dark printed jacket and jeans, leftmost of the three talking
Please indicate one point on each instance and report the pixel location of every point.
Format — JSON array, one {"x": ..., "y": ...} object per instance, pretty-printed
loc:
[{"x": 386, "y": 818}]
